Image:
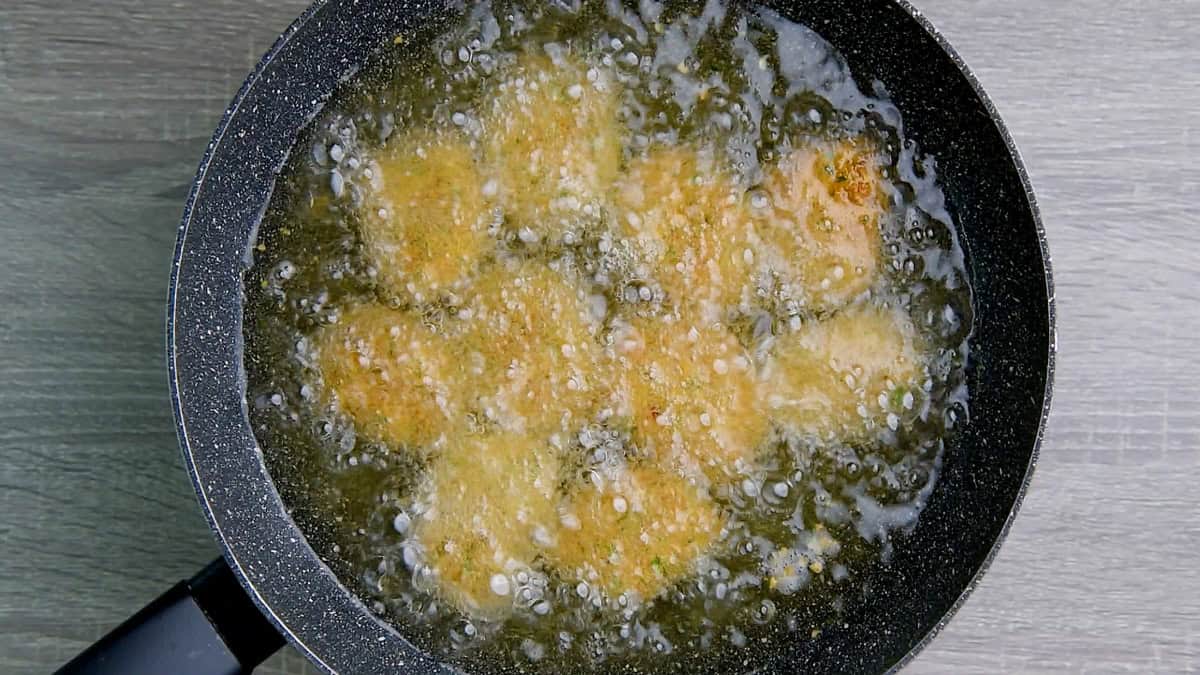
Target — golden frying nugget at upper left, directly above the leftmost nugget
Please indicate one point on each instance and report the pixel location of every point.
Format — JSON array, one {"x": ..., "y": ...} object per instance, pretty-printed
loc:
[{"x": 427, "y": 226}]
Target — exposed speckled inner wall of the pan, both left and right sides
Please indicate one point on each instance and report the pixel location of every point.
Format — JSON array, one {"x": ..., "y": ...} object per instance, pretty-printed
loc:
[{"x": 982, "y": 477}]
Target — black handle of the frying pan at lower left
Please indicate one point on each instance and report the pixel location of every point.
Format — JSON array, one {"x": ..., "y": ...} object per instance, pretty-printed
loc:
[{"x": 205, "y": 626}]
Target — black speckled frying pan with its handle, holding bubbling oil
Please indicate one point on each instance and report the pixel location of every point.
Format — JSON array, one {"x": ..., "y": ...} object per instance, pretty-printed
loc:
[{"x": 271, "y": 586}]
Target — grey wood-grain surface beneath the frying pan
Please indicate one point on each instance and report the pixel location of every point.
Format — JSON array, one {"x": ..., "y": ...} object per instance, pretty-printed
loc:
[{"x": 106, "y": 109}]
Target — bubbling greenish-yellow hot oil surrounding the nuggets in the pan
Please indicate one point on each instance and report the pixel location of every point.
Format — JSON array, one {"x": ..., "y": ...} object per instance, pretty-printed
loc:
[{"x": 803, "y": 521}]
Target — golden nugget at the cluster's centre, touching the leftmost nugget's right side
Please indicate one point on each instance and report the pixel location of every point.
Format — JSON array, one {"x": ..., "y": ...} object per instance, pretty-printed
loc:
[{"x": 530, "y": 348}]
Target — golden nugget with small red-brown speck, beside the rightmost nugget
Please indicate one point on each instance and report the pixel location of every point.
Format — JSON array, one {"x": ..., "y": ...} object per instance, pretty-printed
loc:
[{"x": 693, "y": 395}]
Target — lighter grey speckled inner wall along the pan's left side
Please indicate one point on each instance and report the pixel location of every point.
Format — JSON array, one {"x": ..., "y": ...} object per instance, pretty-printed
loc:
[{"x": 235, "y": 184}]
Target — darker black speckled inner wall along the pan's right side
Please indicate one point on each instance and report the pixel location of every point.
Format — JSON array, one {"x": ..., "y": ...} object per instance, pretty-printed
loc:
[{"x": 986, "y": 470}]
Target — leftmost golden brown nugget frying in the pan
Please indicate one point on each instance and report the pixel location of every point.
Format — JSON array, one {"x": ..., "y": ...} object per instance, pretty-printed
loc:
[{"x": 392, "y": 375}]
